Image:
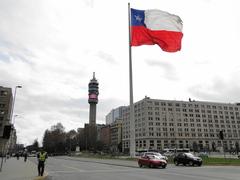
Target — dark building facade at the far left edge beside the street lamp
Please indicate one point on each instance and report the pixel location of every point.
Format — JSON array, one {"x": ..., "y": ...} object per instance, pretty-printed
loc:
[{"x": 5, "y": 111}]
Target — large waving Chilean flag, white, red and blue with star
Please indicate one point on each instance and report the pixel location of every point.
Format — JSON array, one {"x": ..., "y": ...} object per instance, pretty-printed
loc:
[{"x": 151, "y": 27}]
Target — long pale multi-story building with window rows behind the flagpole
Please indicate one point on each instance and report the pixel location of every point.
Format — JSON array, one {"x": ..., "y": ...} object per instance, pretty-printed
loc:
[{"x": 163, "y": 124}]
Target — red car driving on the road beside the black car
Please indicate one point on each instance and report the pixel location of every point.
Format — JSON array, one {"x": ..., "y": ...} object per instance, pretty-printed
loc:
[{"x": 152, "y": 161}]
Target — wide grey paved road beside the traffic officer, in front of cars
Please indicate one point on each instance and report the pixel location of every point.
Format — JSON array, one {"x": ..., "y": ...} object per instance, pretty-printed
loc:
[{"x": 62, "y": 168}]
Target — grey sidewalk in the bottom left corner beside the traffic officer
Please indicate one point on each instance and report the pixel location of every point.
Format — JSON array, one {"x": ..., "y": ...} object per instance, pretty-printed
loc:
[{"x": 14, "y": 169}]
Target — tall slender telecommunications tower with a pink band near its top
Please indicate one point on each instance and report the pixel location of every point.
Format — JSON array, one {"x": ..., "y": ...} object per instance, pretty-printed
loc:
[{"x": 93, "y": 99}]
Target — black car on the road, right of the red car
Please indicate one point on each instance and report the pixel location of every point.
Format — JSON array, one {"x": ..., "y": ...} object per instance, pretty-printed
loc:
[{"x": 187, "y": 158}]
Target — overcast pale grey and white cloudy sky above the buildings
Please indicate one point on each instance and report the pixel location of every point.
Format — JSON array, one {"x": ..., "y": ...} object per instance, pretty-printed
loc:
[{"x": 52, "y": 48}]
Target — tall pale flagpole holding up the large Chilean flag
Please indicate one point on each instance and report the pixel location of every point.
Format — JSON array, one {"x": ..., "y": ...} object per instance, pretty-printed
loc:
[{"x": 132, "y": 121}]
